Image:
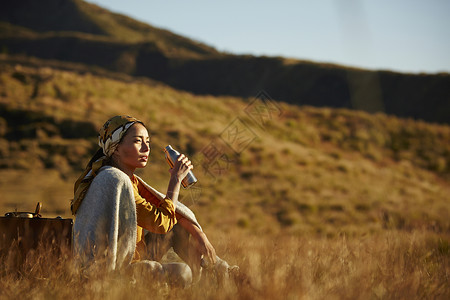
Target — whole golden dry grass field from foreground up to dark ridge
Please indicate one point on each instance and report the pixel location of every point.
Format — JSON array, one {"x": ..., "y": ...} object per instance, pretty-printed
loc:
[{"x": 310, "y": 203}]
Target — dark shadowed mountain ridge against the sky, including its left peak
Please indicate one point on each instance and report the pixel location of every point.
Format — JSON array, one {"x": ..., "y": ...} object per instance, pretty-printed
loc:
[{"x": 80, "y": 32}]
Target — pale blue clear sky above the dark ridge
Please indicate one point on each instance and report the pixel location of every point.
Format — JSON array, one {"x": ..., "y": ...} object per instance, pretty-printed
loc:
[{"x": 398, "y": 35}]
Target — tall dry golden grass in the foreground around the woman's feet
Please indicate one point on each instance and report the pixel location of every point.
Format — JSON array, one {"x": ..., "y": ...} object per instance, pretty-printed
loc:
[{"x": 389, "y": 265}]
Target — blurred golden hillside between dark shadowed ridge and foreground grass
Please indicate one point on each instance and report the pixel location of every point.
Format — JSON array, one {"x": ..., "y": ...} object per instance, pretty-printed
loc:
[{"x": 304, "y": 170}]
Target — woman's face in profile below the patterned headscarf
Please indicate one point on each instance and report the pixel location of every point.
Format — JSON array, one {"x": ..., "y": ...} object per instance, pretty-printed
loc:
[{"x": 133, "y": 150}]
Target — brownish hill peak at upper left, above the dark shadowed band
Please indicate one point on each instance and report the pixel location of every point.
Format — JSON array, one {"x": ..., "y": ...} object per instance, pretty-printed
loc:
[{"x": 70, "y": 16}]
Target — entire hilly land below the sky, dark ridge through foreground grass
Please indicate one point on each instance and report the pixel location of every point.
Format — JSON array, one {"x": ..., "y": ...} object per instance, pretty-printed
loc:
[{"x": 314, "y": 179}]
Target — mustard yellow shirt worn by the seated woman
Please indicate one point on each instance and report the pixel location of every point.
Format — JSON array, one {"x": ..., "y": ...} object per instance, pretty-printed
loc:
[{"x": 155, "y": 215}]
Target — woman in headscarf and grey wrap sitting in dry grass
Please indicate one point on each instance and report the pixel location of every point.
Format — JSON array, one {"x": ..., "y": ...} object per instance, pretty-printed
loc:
[{"x": 121, "y": 221}]
